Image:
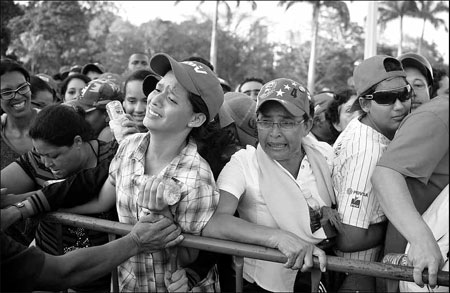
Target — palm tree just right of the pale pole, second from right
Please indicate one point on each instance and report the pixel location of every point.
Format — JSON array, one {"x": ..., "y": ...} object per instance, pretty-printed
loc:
[{"x": 391, "y": 10}]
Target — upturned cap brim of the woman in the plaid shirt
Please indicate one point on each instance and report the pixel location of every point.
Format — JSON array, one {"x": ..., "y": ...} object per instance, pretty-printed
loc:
[{"x": 161, "y": 63}]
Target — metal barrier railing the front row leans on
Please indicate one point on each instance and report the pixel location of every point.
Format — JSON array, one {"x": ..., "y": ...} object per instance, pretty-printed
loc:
[{"x": 241, "y": 250}]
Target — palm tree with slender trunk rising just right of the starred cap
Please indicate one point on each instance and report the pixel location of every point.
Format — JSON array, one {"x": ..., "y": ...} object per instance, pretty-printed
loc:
[{"x": 344, "y": 15}]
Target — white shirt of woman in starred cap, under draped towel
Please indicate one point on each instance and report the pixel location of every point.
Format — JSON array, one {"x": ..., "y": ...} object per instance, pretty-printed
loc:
[{"x": 240, "y": 178}]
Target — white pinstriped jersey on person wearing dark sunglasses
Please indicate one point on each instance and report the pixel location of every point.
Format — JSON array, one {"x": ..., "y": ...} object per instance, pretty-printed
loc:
[{"x": 356, "y": 153}]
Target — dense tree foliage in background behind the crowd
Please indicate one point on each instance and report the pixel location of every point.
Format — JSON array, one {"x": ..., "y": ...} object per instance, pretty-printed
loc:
[{"x": 50, "y": 34}]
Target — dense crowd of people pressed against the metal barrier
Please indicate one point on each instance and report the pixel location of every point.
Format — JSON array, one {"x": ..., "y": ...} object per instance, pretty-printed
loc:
[{"x": 360, "y": 172}]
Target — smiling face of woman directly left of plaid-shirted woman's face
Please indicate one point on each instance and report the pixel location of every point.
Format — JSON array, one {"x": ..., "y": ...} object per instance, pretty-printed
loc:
[{"x": 135, "y": 102}]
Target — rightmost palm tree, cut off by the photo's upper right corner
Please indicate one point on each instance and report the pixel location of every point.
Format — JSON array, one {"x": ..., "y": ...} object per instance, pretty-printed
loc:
[{"x": 427, "y": 10}]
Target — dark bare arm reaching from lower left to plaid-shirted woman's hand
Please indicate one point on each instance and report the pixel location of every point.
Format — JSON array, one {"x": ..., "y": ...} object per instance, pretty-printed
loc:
[{"x": 151, "y": 233}]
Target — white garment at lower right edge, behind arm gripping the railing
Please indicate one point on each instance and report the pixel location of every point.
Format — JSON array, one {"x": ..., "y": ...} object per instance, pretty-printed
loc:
[{"x": 436, "y": 217}]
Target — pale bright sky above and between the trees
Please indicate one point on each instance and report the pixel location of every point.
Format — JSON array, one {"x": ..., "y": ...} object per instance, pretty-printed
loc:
[{"x": 279, "y": 21}]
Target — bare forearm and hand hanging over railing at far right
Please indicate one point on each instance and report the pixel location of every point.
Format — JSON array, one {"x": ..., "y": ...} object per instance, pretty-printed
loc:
[{"x": 393, "y": 194}]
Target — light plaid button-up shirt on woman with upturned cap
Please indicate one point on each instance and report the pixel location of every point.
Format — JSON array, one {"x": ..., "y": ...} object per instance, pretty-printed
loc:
[{"x": 199, "y": 199}]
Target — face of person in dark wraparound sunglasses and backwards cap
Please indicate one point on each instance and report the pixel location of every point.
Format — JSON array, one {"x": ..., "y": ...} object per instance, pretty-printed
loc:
[{"x": 386, "y": 118}]
